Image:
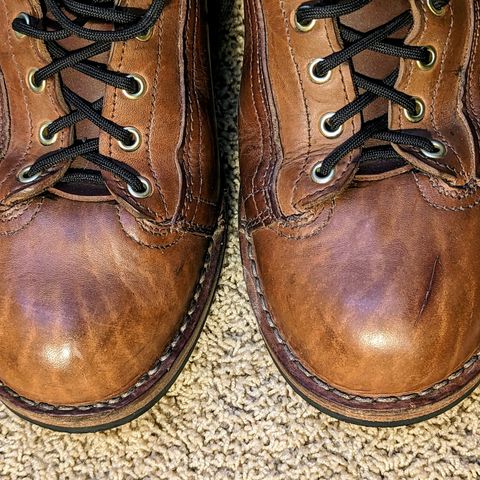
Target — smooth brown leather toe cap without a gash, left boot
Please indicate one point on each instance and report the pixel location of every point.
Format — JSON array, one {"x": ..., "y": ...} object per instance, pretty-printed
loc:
[{"x": 88, "y": 304}]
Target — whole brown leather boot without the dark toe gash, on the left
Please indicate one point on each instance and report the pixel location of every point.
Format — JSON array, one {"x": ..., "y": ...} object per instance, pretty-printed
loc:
[{"x": 111, "y": 232}]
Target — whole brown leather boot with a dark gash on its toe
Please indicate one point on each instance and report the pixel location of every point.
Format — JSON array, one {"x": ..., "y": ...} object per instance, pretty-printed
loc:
[{"x": 360, "y": 213}]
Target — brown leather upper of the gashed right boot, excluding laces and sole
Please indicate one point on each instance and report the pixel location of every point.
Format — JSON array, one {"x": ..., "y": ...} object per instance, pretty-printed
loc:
[{"x": 370, "y": 280}]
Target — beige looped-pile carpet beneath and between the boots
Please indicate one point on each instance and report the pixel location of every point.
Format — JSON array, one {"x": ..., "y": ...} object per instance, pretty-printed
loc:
[{"x": 231, "y": 415}]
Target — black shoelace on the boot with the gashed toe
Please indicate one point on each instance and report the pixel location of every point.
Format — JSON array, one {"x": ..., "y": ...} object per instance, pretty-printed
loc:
[{"x": 354, "y": 43}]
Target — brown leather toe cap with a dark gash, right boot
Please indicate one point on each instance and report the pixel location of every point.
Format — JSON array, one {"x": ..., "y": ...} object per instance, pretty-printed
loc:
[{"x": 375, "y": 302}]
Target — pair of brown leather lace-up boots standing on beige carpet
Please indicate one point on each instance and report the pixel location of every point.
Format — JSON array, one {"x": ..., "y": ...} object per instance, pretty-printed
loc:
[{"x": 359, "y": 224}]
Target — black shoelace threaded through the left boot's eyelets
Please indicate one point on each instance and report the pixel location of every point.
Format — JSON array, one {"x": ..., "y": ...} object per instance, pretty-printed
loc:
[{"x": 129, "y": 23}]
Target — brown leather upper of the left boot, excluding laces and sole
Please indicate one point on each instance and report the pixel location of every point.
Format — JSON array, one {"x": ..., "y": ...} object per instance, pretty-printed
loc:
[{"x": 96, "y": 285}]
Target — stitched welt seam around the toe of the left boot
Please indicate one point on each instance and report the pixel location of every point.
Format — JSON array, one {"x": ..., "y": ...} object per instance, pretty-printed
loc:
[{"x": 110, "y": 403}]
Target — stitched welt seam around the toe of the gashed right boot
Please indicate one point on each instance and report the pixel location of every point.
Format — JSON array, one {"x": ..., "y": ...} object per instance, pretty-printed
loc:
[{"x": 323, "y": 385}]
